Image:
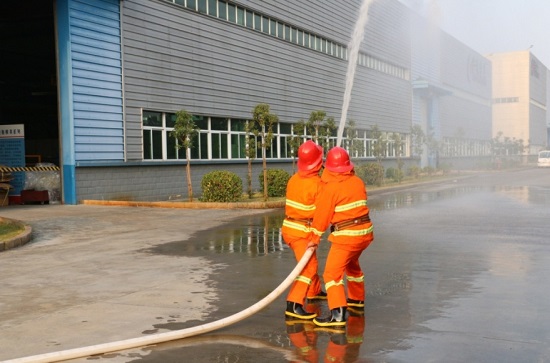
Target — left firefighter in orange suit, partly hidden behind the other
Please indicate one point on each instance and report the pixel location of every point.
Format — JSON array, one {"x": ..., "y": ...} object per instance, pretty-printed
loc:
[{"x": 301, "y": 192}]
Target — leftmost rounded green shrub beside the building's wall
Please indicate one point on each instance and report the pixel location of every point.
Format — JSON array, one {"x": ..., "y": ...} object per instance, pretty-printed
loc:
[{"x": 221, "y": 186}]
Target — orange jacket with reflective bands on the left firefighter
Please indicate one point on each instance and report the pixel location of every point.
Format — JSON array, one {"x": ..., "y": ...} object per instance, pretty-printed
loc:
[{"x": 301, "y": 192}]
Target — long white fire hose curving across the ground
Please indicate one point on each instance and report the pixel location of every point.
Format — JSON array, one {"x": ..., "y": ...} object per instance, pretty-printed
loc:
[{"x": 168, "y": 336}]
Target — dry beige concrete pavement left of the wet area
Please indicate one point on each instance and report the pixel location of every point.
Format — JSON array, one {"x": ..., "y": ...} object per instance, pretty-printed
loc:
[{"x": 85, "y": 260}]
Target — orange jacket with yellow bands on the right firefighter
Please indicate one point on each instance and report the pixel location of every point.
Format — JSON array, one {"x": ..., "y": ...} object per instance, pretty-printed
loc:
[{"x": 343, "y": 197}]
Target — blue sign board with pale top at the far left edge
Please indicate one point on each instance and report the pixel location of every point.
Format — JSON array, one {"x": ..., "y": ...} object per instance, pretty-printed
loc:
[{"x": 12, "y": 153}]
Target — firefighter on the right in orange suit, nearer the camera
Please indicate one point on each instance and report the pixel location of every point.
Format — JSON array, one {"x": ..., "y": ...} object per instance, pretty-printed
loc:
[{"x": 342, "y": 203}]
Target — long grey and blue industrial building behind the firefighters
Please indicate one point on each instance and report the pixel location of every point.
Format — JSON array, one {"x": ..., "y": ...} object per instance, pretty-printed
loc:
[{"x": 96, "y": 84}]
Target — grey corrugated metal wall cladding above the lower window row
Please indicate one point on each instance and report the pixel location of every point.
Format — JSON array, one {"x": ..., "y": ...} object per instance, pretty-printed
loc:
[{"x": 175, "y": 58}]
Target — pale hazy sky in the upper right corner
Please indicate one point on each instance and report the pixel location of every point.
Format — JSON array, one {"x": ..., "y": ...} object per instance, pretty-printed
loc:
[{"x": 491, "y": 26}]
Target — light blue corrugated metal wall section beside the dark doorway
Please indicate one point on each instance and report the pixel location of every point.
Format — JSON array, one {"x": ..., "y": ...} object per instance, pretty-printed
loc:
[{"x": 96, "y": 60}]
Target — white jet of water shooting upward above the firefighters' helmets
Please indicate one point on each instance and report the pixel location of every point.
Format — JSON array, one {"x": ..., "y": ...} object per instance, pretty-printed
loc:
[{"x": 353, "y": 47}]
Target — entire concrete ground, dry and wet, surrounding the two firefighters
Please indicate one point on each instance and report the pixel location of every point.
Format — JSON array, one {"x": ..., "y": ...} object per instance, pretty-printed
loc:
[{"x": 458, "y": 272}]
